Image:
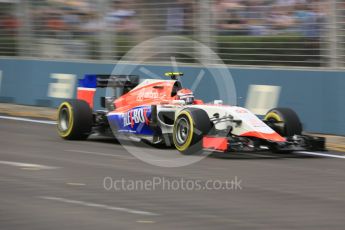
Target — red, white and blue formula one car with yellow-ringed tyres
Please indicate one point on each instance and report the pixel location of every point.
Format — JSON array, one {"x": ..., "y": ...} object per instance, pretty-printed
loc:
[{"x": 162, "y": 111}]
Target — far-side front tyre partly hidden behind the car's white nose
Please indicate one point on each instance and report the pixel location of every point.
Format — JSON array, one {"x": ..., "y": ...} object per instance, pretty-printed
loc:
[{"x": 284, "y": 121}]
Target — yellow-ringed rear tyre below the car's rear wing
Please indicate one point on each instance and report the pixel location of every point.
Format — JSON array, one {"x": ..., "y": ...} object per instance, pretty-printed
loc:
[{"x": 74, "y": 120}]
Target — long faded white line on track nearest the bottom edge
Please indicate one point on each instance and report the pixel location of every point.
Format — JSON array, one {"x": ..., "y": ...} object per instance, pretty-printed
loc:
[{"x": 102, "y": 206}]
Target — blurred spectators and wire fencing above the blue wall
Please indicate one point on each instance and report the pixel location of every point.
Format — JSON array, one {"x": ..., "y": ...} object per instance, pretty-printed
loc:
[{"x": 307, "y": 33}]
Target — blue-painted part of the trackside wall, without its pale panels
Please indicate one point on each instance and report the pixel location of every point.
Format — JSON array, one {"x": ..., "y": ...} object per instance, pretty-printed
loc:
[{"x": 317, "y": 96}]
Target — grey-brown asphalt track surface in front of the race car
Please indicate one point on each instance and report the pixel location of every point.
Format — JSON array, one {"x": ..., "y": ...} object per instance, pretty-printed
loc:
[{"x": 64, "y": 188}]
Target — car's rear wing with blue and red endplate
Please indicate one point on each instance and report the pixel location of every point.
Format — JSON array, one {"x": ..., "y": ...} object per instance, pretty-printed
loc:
[{"x": 87, "y": 86}]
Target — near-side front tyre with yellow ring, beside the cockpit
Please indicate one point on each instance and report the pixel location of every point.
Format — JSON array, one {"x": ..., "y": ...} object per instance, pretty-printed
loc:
[{"x": 189, "y": 128}]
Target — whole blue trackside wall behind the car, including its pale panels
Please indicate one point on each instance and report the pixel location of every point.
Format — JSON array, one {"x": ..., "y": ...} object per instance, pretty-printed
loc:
[{"x": 317, "y": 96}]
